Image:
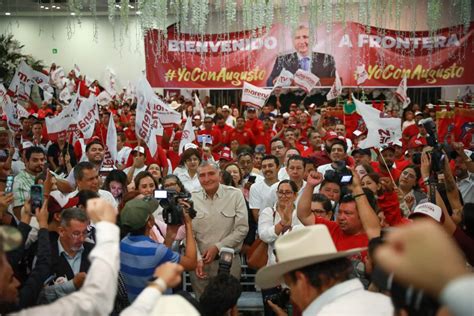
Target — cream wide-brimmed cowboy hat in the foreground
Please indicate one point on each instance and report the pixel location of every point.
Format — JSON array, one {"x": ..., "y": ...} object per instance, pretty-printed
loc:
[{"x": 298, "y": 249}]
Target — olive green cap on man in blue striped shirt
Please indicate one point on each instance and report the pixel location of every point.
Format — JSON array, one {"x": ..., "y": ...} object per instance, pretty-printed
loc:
[{"x": 136, "y": 212}]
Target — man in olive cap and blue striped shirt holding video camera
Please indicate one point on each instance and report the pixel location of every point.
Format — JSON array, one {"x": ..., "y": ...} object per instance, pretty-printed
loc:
[{"x": 140, "y": 255}]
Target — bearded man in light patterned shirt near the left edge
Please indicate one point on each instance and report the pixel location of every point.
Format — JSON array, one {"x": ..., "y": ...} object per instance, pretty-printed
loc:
[{"x": 34, "y": 165}]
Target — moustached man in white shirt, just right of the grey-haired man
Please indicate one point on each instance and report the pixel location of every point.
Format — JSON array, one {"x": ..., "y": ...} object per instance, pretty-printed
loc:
[{"x": 261, "y": 191}]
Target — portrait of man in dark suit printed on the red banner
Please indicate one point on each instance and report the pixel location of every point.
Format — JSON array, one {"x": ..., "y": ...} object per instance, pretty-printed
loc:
[{"x": 320, "y": 64}]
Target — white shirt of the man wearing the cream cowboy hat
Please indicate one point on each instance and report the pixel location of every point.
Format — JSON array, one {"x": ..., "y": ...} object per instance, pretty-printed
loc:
[{"x": 349, "y": 298}]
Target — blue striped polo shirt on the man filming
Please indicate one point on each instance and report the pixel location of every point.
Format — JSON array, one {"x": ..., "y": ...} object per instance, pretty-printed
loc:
[{"x": 139, "y": 257}]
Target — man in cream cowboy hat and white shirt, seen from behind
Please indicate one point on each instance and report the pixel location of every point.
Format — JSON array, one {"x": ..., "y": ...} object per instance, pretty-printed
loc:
[{"x": 318, "y": 276}]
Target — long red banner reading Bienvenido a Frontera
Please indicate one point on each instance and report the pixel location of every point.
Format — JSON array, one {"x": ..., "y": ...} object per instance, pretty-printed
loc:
[{"x": 223, "y": 61}]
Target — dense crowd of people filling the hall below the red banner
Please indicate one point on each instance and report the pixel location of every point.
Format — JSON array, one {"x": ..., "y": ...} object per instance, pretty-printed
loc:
[{"x": 344, "y": 230}]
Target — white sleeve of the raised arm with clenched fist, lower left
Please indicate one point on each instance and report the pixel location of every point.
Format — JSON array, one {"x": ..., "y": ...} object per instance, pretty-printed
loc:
[{"x": 97, "y": 295}]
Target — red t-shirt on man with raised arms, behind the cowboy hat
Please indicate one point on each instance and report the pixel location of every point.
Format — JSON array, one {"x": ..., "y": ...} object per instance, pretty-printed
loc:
[{"x": 342, "y": 240}]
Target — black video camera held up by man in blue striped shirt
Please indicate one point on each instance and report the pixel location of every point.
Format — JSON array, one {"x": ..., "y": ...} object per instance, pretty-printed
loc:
[{"x": 173, "y": 212}]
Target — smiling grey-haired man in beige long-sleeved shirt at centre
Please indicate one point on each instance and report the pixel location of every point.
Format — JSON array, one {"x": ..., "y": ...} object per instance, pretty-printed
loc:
[{"x": 221, "y": 221}]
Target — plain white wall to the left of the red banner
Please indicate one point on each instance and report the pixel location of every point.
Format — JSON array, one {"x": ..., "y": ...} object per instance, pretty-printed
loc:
[{"x": 76, "y": 44}]
